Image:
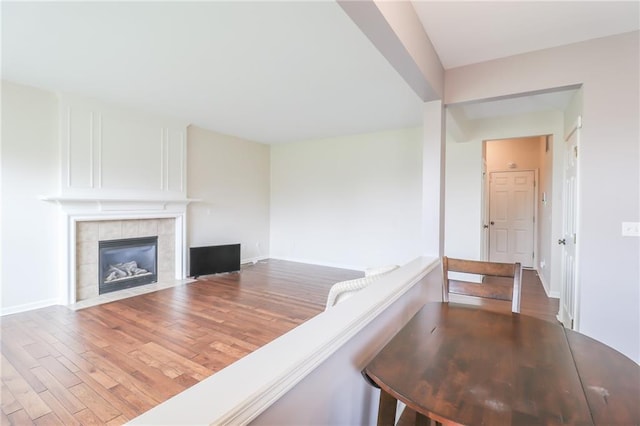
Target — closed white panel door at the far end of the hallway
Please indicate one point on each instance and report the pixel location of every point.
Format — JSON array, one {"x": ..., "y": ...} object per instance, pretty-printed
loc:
[{"x": 511, "y": 216}]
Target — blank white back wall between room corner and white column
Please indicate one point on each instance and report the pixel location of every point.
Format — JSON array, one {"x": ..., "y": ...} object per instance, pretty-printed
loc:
[{"x": 351, "y": 201}]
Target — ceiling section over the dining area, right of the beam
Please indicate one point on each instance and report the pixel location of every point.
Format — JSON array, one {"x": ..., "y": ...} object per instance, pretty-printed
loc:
[{"x": 467, "y": 32}]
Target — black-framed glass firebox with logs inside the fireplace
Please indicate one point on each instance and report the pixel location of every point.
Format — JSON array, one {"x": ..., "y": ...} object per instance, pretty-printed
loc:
[{"x": 126, "y": 263}]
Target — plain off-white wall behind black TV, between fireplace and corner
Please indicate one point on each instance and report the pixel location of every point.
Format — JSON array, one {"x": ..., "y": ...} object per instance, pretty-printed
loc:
[{"x": 231, "y": 177}]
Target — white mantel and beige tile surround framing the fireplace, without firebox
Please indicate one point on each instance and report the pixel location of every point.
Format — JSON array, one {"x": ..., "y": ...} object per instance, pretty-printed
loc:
[{"x": 86, "y": 221}]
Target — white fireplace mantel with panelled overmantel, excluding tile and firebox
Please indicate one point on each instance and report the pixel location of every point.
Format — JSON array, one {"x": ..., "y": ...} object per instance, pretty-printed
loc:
[{"x": 117, "y": 164}]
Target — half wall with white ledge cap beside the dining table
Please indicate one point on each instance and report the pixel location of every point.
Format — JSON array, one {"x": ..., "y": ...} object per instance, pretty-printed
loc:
[{"x": 313, "y": 370}]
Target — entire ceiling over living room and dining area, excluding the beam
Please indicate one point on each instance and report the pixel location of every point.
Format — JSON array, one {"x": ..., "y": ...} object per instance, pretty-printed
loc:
[{"x": 270, "y": 71}]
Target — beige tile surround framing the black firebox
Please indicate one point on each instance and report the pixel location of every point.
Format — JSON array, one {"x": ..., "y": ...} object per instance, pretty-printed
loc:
[{"x": 89, "y": 233}]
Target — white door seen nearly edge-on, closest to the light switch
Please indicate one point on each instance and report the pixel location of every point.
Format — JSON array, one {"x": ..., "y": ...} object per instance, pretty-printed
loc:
[{"x": 569, "y": 287}]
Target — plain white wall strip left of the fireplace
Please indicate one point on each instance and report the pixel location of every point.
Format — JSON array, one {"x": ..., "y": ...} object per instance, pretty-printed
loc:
[{"x": 29, "y": 158}]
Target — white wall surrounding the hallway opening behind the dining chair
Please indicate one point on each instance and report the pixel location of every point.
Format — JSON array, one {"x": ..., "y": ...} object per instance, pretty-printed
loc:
[{"x": 463, "y": 214}]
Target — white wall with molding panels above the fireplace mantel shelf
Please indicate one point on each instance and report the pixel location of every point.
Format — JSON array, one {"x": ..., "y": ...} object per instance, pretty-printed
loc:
[{"x": 111, "y": 152}]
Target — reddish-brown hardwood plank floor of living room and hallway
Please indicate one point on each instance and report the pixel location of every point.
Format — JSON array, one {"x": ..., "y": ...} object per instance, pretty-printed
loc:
[{"x": 109, "y": 363}]
